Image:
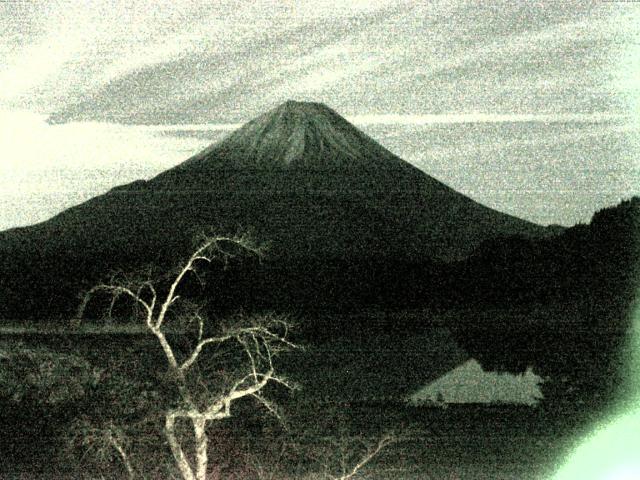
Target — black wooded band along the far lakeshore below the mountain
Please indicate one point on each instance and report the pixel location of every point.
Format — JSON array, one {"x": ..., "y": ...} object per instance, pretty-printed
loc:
[{"x": 594, "y": 264}]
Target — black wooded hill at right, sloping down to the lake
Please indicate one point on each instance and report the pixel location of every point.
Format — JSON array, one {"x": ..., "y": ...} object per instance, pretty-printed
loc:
[{"x": 599, "y": 258}]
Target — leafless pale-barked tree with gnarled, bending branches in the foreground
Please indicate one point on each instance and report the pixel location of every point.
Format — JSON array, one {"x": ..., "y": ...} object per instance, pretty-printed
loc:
[{"x": 258, "y": 339}]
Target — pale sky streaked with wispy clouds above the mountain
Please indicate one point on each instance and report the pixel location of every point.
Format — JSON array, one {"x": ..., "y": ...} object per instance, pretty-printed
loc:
[{"x": 532, "y": 108}]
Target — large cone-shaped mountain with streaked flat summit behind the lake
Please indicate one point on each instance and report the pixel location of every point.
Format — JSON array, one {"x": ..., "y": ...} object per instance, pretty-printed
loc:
[{"x": 336, "y": 207}]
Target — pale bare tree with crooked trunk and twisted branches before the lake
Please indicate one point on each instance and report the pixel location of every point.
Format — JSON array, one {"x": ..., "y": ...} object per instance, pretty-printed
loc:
[{"x": 258, "y": 338}]
